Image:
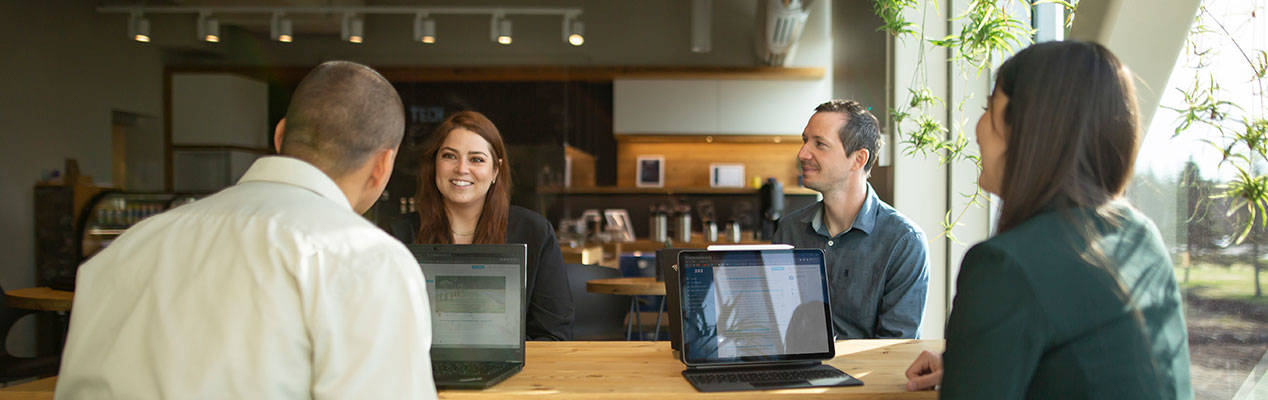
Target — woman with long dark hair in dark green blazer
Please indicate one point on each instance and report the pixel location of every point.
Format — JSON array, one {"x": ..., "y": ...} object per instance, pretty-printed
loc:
[{"x": 1075, "y": 297}]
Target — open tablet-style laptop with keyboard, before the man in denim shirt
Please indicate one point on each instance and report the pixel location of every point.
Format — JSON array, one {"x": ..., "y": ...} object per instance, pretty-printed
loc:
[{"x": 756, "y": 319}]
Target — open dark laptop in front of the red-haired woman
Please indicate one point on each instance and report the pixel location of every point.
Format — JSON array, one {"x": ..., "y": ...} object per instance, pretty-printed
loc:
[{"x": 477, "y": 312}]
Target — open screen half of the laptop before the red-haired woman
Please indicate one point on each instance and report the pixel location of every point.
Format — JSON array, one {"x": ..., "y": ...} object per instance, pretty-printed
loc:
[{"x": 476, "y": 295}]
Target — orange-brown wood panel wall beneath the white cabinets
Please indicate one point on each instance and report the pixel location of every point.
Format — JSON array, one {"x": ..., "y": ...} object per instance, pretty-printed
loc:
[{"x": 688, "y": 158}]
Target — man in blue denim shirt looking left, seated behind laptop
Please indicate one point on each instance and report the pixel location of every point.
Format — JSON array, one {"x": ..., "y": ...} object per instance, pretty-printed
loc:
[{"x": 878, "y": 265}]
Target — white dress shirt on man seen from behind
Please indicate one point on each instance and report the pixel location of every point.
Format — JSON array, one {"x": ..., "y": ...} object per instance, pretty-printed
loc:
[{"x": 272, "y": 289}]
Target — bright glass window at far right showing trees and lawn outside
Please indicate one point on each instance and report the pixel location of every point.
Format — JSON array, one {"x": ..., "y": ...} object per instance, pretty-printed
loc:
[{"x": 1191, "y": 156}]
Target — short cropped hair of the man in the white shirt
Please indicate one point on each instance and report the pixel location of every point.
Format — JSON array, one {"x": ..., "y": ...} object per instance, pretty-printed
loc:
[{"x": 340, "y": 115}]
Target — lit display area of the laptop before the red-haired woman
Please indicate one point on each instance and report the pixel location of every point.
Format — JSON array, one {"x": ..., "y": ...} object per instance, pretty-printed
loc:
[{"x": 475, "y": 305}]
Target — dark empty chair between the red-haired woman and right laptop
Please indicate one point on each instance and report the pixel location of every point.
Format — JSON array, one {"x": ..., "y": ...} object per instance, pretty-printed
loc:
[{"x": 597, "y": 317}]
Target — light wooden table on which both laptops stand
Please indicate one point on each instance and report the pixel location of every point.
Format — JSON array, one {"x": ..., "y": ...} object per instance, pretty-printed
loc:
[{"x": 645, "y": 370}]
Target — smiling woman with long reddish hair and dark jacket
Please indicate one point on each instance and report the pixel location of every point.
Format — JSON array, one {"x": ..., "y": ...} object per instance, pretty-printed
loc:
[{"x": 465, "y": 197}]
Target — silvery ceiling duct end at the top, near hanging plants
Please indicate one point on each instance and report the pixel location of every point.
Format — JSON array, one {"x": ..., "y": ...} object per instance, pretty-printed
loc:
[{"x": 779, "y": 27}]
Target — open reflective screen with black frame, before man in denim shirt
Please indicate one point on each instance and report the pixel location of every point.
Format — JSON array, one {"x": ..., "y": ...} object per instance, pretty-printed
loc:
[{"x": 755, "y": 307}]
